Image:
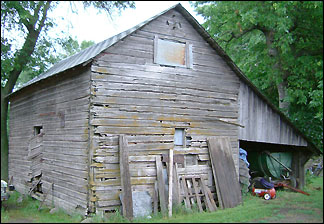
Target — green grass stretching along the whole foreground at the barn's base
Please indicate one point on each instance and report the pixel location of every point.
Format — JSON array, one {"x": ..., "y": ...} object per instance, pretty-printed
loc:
[{"x": 288, "y": 205}]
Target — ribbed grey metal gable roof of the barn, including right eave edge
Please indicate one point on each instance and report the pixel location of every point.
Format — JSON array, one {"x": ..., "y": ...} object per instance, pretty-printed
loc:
[{"x": 85, "y": 56}]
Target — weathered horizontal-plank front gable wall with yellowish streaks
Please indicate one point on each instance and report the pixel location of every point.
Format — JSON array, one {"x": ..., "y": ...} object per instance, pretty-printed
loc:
[{"x": 145, "y": 101}]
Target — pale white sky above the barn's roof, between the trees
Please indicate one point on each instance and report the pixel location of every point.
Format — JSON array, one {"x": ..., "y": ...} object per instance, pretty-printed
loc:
[{"x": 89, "y": 25}]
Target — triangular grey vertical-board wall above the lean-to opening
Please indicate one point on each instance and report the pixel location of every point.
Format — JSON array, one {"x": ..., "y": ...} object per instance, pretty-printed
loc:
[{"x": 263, "y": 124}]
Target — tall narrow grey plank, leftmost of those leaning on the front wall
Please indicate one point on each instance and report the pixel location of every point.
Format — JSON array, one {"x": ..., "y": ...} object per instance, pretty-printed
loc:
[{"x": 127, "y": 200}]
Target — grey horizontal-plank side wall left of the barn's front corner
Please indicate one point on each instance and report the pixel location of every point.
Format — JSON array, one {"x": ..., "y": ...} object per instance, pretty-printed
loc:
[{"x": 65, "y": 140}]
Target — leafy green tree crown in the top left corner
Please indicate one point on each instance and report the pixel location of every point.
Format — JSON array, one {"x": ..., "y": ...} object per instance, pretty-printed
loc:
[{"x": 24, "y": 21}]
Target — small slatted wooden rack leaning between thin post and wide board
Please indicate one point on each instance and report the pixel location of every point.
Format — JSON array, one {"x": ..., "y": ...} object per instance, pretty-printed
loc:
[{"x": 194, "y": 190}]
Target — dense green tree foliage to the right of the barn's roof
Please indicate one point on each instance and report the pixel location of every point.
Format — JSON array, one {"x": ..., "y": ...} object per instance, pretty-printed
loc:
[{"x": 273, "y": 43}]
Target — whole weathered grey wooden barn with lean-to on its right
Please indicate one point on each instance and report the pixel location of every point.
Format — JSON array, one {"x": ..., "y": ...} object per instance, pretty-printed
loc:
[{"x": 164, "y": 83}]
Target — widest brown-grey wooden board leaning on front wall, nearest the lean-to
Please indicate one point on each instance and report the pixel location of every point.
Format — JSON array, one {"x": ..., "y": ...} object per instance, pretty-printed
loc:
[{"x": 224, "y": 171}]
